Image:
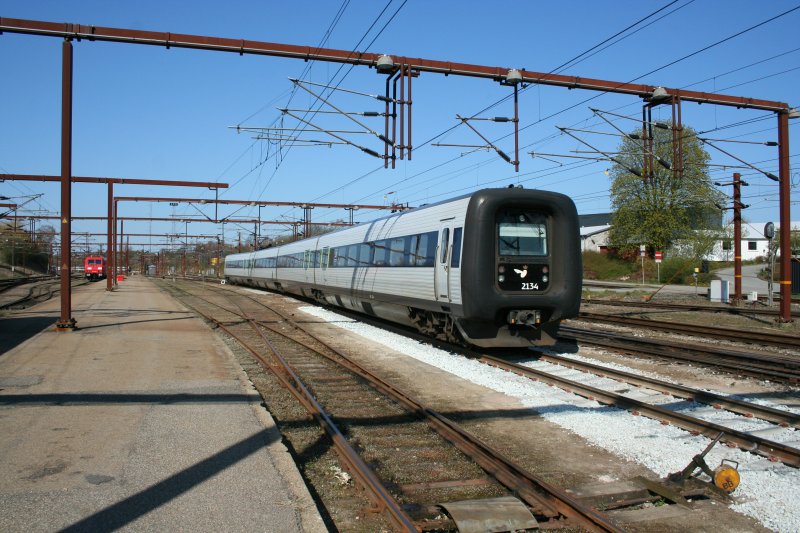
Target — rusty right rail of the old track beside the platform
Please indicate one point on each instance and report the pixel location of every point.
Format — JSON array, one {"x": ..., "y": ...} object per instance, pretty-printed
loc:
[{"x": 525, "y": 485}]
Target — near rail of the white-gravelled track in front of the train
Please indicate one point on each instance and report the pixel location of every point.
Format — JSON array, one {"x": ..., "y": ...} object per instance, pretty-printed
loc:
[{"x": 772, "y": 450}]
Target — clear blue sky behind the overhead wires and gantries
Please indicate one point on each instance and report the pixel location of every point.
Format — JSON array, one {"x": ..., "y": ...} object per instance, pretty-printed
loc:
[{"x": 148, "y": 112}]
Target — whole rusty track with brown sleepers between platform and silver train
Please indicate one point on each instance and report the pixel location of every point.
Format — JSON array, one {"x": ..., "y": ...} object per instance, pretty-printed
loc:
[{"x": 385, "y": 437}]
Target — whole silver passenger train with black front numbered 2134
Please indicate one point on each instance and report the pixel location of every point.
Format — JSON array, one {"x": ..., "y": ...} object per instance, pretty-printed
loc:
[{"x": 494, "y": 268}]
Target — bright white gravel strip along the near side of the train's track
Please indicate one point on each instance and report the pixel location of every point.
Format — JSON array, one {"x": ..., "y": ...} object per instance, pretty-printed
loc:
[{"x": 769, "y": 492}]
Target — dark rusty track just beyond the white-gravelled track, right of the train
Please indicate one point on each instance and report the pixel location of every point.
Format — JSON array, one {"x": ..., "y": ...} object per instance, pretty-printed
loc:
[{"x": 738, "y": 362}]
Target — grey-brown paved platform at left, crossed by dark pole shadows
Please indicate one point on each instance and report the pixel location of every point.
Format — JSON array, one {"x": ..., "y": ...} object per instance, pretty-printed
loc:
[{"x": 139, "y": 420}]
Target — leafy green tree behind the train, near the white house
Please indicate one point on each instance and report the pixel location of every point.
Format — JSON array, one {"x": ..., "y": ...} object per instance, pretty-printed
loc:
[{"x": 661, "y": 210}]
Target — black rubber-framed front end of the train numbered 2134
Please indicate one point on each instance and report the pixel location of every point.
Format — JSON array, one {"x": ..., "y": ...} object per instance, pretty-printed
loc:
[{"x": 525, "y": 271}]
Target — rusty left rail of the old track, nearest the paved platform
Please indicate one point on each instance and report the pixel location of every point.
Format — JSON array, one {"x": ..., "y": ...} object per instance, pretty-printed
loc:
[{"x": 367, "y": 478}]
